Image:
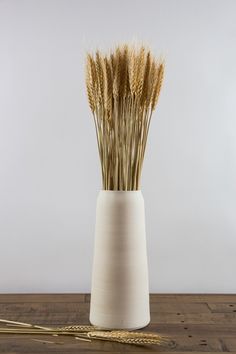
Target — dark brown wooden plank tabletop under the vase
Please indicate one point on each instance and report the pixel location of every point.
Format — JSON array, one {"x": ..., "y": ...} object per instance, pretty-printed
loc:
[{"x": 197, "y": 323}]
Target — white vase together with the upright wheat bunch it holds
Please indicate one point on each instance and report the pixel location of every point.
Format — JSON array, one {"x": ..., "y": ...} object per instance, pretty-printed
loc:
[{"x": 123, "y": 88}]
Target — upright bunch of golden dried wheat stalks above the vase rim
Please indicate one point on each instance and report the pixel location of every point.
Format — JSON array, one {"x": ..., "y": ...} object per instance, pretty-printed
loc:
[{"x": 123, "y": 90}]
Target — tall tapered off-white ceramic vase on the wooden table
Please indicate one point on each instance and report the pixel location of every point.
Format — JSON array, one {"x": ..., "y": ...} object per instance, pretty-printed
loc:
[{"x": 120, "y": 289}]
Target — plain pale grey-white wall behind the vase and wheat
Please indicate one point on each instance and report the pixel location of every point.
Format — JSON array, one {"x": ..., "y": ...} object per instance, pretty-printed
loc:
[{"x": 49, "y": 167}]
